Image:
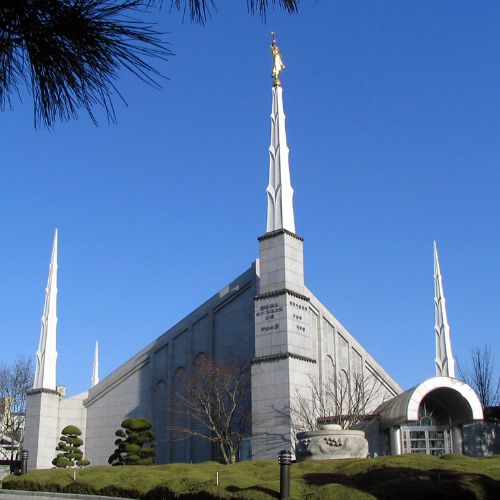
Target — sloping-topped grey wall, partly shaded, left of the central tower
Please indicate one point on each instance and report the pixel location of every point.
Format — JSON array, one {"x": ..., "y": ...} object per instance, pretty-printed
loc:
[{"x": 146, "y": 385}]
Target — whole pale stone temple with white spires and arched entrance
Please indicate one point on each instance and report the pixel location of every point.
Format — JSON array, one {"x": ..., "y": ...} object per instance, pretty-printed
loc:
[{"x": 268, "y": 318}]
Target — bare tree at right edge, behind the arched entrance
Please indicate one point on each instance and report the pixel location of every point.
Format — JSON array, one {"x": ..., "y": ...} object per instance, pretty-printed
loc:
[{"x": 481, "y": 376}]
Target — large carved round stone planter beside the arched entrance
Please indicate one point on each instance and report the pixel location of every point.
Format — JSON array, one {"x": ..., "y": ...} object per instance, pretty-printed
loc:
[{"x": 331, "y": 442}]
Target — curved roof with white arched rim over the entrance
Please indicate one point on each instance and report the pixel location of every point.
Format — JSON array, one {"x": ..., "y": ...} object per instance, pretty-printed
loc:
[{"x": 404, "y": 407}]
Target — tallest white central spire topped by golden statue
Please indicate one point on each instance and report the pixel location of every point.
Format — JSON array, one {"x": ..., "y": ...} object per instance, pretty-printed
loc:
[{"x": 279, "y": 191}]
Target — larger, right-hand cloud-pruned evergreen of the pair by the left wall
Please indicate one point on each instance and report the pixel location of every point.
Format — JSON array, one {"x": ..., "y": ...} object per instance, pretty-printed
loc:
[{"x": 135, "y": 444}]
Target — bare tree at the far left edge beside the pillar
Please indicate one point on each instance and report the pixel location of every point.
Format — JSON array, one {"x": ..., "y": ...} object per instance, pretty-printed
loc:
[{"x": 15, "y": 380}]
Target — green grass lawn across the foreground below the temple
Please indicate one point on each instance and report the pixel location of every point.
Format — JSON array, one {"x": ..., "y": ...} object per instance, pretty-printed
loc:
[{"x": 405, "y": 477}]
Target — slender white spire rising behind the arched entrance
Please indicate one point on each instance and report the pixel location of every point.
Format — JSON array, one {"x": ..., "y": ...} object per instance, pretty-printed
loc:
[{"x": 445, "y": 364}]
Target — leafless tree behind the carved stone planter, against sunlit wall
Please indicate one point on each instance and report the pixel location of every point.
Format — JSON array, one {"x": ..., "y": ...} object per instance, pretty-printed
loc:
[{"x": 340, "y": 400}]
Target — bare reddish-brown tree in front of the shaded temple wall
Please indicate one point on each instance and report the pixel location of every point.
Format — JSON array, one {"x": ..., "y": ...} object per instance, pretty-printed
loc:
[{"x": 213, "y": 401}]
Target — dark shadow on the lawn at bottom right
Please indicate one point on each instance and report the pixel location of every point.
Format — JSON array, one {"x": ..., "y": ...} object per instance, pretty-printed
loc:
[{"x": 408, "y": 483}]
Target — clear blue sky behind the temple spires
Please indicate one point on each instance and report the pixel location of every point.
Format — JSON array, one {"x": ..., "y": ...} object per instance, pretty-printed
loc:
[{"x": 393, "y": 122}]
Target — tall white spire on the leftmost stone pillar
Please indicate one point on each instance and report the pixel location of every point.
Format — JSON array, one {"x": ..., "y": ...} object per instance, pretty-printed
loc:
[{"x": 46, "y": 356}]
